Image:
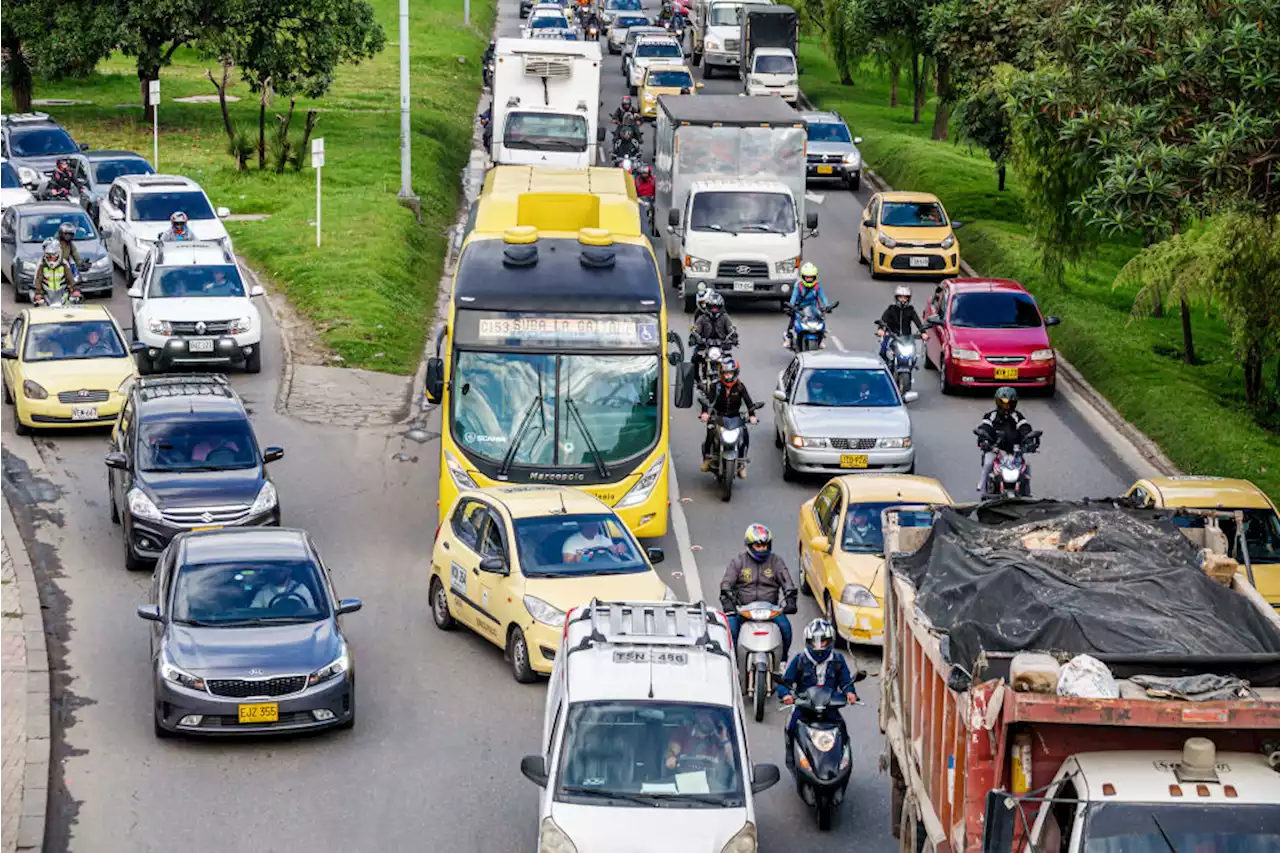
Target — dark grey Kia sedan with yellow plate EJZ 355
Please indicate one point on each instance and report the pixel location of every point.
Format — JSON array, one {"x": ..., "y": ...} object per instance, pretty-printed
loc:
[{"x": 246, "y": 636}]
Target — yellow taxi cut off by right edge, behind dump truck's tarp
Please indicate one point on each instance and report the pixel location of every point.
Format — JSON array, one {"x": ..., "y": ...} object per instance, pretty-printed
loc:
[{"x": 1261, "y": 521}]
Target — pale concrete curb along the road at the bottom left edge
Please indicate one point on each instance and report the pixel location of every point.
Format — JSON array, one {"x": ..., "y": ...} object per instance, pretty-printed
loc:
[{"x": 35, "y": 796}]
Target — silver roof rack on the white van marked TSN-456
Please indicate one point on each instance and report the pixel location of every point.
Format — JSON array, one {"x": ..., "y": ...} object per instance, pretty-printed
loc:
[{"x": 647, "y": 624}]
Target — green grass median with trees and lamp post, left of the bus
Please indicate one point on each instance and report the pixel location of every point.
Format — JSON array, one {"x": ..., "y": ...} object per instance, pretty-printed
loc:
[{"x": 371, "y": 290}]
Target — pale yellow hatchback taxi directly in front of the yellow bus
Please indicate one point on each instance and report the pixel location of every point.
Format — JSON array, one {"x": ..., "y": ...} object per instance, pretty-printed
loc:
[{"x": 511, "y": 560}]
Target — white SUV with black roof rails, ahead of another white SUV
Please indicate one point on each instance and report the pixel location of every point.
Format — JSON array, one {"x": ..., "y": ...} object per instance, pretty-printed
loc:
[{"x": 191, "y": 307}]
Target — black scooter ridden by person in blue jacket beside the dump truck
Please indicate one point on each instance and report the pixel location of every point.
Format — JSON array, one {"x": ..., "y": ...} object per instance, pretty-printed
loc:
[{"x": 822, "y": 761}]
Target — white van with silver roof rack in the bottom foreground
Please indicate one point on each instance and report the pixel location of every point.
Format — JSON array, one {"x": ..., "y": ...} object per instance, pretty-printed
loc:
[{"x": 632, "y": 685}]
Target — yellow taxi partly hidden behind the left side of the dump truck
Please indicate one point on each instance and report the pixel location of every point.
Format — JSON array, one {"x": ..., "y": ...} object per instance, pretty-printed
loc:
[{"x": 842, "y": 546}]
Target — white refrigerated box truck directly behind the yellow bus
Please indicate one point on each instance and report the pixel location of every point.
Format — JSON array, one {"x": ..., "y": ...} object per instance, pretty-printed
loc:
[{"x": 546, "y": 103}]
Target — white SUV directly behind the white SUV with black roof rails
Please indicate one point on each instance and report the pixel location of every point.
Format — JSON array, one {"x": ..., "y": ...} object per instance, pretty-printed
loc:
[{"x": 136, "y": 213}]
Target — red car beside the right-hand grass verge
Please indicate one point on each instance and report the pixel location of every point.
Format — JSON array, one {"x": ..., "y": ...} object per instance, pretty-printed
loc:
[{"x": 989, "y": 334}]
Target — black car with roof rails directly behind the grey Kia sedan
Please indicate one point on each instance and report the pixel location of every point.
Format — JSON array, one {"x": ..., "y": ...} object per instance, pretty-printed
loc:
[{"x": 185, "y": 458}]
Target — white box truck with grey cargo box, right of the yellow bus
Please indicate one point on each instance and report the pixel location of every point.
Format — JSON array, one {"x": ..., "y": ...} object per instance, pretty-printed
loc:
[{"x": 730, "y": 204}]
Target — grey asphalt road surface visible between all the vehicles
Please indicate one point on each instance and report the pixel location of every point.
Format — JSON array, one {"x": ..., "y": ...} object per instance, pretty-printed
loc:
[{"x": 433, "y": 760}]
